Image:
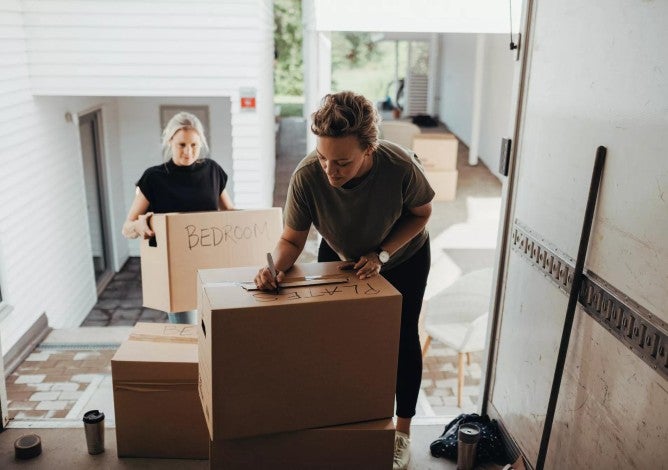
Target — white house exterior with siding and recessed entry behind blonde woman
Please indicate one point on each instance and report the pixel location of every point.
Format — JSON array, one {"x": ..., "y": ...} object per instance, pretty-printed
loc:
[{"x": 63, "y": 59}]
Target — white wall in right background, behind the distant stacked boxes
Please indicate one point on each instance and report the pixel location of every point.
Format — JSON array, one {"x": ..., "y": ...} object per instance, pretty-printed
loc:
[{"x": 458, "y": 61}]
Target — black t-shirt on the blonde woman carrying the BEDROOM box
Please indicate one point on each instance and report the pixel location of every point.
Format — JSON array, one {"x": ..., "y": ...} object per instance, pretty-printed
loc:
[{"x": 172, "y": 188}]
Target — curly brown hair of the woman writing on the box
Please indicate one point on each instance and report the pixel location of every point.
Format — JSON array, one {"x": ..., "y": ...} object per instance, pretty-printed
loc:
[{"x": 344, "y": 114}]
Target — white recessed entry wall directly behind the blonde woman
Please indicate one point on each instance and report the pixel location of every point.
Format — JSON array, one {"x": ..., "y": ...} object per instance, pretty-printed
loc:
[{"x": 140, "y": 147}]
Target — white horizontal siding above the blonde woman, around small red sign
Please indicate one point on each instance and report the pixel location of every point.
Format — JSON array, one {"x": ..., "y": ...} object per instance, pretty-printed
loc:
[{"x": 167, "y": 48}]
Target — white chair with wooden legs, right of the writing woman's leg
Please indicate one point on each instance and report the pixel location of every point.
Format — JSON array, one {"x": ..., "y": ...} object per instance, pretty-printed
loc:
[{"x": 457, "y": 317}]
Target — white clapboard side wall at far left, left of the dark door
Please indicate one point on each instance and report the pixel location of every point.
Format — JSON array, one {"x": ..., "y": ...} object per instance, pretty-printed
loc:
[{"x": 45, "y": 254}]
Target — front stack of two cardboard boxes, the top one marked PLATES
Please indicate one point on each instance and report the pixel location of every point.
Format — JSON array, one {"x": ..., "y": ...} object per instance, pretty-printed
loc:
[{"x": 278, "y": 371}]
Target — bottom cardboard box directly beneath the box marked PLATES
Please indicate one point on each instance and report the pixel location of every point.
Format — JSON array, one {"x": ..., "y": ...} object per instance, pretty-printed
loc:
[{"x": 368, "y": 446}]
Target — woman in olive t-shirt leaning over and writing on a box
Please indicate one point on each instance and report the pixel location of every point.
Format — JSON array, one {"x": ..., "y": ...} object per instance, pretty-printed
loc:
[{"x": 370, "y": 201}]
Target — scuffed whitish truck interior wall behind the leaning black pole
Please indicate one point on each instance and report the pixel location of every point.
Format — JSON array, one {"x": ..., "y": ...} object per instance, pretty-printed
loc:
[{"x": 596, "y": 77}]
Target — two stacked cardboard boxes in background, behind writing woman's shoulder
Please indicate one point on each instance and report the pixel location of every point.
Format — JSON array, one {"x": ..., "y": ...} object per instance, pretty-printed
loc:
[{"x": 438, "y": 154}]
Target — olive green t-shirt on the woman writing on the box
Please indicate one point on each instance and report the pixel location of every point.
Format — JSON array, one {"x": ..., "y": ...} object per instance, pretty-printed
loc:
[{"x": 356, "y": 221}]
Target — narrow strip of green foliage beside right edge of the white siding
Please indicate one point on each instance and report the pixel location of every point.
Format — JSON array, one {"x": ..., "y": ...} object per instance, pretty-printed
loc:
[{"x": 288, "y": 69}]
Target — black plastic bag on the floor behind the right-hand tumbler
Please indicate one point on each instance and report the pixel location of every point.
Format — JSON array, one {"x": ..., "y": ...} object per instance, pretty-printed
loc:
[{"x": 490, "y": 446}]
